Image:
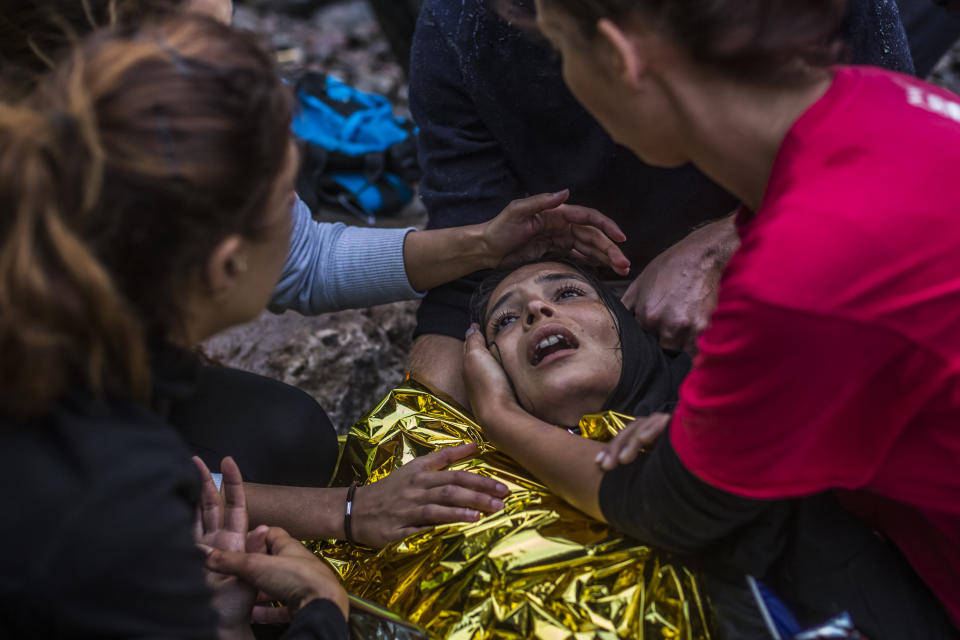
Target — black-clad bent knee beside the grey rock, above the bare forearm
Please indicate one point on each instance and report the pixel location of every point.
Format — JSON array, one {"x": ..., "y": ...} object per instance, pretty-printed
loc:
[{"x": 276, "y": 433}]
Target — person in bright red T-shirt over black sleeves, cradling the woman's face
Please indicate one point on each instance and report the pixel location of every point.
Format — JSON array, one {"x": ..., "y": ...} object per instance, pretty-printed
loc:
[{"x": 832, "y": 361}]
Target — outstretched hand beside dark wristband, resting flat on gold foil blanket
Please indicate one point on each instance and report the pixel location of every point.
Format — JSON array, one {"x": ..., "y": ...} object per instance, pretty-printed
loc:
[{"x": 421, "y": 494}]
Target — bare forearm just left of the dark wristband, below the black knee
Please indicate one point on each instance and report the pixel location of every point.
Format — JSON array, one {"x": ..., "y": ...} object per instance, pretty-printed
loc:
[{"x": 305, "y": 512}]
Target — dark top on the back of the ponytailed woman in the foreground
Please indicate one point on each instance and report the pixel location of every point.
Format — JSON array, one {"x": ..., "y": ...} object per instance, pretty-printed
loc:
[{"x": 103, "y": 505}]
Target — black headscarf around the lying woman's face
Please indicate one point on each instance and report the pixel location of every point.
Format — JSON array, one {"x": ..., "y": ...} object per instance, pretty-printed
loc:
[{"x": 650, "y": 378}]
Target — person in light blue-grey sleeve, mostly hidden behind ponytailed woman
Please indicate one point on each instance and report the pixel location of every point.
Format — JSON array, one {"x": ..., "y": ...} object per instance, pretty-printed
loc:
[{"x": 281, "y": 437}]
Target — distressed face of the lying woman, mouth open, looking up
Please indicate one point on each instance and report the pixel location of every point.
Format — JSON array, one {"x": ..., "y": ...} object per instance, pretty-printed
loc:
[{"x": 556, "y": 340}]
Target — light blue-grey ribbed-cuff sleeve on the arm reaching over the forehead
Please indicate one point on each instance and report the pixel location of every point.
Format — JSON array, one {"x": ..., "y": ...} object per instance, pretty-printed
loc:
[{"x": 333, "y": 266}]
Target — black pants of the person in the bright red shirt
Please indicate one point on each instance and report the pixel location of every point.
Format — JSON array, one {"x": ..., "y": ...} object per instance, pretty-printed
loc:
[{"x": 822, "y": 561}]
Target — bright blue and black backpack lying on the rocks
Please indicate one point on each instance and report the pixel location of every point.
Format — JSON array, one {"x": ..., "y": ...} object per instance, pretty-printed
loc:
[{"x": 357, "y": 154}]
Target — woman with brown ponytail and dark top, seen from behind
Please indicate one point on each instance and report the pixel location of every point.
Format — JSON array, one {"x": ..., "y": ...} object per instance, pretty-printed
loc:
[{"x": 147, "y": 185}]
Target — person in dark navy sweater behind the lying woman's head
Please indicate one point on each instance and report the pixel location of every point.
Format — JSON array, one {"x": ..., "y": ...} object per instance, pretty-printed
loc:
[{"x": 497, "y": 122}]
